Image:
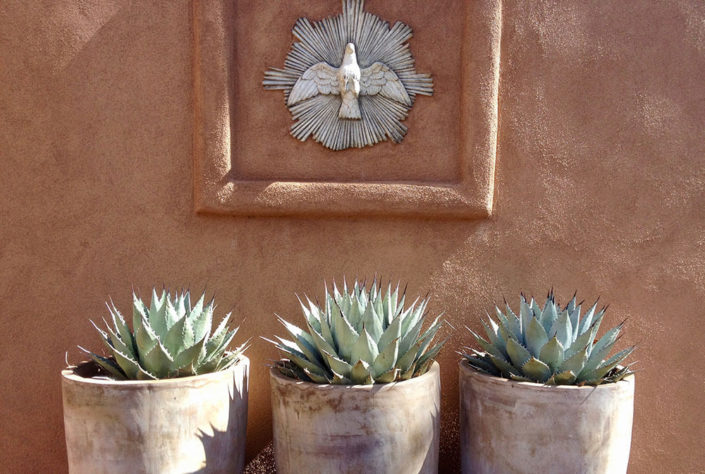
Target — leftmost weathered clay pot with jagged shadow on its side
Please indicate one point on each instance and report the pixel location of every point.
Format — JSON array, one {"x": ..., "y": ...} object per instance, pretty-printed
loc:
[{"x": 182, "y": 425}]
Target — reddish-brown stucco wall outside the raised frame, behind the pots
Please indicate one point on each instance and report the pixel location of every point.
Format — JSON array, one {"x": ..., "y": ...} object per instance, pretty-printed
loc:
[{"x": 599, "y": 187}]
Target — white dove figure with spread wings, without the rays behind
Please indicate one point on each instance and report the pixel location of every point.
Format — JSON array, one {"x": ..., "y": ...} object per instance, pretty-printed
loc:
[{"x": 349, "y": 81}]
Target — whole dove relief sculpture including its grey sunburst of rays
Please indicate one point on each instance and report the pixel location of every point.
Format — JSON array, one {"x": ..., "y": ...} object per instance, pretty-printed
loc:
[{"x": 350, "y": 79}]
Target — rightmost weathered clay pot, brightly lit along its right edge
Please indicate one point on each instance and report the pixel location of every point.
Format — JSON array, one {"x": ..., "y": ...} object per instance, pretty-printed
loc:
[{"x": 520, "y": 427}]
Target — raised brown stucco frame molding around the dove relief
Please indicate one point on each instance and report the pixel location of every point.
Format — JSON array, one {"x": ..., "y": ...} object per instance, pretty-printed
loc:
[{"x": 469, "y": 196}]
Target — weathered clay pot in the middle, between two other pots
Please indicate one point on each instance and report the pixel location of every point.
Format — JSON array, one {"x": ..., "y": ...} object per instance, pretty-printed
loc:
[{"x": 381, "y": 428}]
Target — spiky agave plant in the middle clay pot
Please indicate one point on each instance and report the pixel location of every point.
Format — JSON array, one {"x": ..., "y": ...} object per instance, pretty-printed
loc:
[{"x": 360, "y": 337}]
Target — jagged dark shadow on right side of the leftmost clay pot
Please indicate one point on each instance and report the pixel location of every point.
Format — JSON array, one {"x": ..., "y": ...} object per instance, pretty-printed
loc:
[{"x": 221, "y": 453}]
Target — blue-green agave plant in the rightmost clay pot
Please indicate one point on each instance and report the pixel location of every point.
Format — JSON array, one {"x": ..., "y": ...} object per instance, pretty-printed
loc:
[{"x": 549, "y": 345}]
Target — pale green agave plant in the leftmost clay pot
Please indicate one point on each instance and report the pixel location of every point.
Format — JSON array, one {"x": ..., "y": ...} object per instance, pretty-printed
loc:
[{"x": 170, "y": 338}]
